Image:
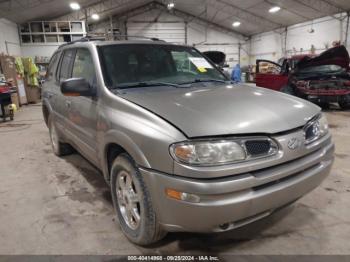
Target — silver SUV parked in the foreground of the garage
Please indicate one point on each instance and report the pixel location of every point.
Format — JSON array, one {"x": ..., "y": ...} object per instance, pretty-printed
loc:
[{"x": 182, "y": 148}]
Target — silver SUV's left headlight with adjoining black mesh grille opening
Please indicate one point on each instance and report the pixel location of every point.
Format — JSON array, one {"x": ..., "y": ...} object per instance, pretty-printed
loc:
[{"x": 217, "y": 152}]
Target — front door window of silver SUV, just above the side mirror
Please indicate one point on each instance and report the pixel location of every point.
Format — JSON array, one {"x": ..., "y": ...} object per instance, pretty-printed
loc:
[{"x": 83, "y": 66}]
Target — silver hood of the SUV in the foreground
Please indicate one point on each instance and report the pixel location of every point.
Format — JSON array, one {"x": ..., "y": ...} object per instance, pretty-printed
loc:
[{"x": 220, "y": 109}]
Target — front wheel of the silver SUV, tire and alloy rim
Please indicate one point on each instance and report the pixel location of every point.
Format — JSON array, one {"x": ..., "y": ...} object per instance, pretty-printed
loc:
[{"x": 132, "y": 203}]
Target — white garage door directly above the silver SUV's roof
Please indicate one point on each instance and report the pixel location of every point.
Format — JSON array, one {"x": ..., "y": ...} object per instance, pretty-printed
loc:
[{"x": 171, "y": 32}]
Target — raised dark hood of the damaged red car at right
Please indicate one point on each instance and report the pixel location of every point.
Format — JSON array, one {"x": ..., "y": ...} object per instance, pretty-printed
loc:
[{"x": 333, "y": 56}]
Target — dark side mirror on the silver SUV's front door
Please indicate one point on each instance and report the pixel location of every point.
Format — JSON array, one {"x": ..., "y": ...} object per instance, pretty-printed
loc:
[{"x": 76, "y": 87}]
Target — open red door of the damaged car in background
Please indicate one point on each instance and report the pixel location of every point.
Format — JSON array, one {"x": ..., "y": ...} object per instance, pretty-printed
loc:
[{"x": 270, "y": 75}]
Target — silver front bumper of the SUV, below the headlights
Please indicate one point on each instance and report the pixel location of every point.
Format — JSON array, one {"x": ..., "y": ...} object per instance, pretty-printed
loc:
[{"x": 230, "y": 202}]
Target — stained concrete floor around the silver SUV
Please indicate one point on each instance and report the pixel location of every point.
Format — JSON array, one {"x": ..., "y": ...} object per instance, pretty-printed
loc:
[{"x": 51, "y": 205}]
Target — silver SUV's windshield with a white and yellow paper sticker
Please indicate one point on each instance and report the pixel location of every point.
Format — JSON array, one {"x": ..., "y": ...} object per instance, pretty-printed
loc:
[{"x": 135, "y": 65}]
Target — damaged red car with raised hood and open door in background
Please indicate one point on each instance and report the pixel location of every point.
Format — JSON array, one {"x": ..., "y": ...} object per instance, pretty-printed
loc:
[{"x": 321, "y": 79}]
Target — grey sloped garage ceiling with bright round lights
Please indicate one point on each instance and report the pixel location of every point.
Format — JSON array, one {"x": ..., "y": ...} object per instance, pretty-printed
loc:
[{"x": 253, "y": 14}]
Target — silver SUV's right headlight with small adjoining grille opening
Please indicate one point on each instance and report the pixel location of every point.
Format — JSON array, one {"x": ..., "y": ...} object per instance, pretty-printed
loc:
[{"x": 316, "y": 128}]
